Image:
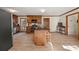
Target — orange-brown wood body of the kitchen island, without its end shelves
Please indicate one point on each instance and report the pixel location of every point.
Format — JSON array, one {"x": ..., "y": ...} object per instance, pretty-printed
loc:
[{"x": 40, "y": 37}]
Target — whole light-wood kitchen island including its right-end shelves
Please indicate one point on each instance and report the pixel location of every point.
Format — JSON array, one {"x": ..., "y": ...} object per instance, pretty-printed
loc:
[{"x": 41, "y": 37}]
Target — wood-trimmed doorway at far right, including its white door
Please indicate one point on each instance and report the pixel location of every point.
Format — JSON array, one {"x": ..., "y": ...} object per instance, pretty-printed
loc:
[{"x": 72, "y": 24}]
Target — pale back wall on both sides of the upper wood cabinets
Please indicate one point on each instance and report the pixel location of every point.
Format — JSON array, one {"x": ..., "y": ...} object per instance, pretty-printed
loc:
[{"x": 53, "y": 22}]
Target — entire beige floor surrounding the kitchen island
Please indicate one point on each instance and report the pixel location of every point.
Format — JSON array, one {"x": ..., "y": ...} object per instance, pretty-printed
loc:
[{"x": 23, "y": 42}]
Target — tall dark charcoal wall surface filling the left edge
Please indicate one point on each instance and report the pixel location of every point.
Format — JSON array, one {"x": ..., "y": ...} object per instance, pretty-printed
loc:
[{"x": 5, "y": 31}]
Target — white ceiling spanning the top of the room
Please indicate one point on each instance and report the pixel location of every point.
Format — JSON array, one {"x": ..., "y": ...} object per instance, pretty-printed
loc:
[{"x": 36, "y": 10}]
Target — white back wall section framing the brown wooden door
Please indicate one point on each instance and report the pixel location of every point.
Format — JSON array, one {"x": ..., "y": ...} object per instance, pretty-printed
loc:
[{"x": 53, "y": 22}]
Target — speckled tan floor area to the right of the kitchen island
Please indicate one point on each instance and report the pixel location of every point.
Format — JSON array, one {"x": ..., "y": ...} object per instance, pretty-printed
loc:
[{"x": 58, "y": 40}]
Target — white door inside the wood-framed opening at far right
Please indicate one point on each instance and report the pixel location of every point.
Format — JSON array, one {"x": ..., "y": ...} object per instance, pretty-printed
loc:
[{"x": 72, "y": 25}]
